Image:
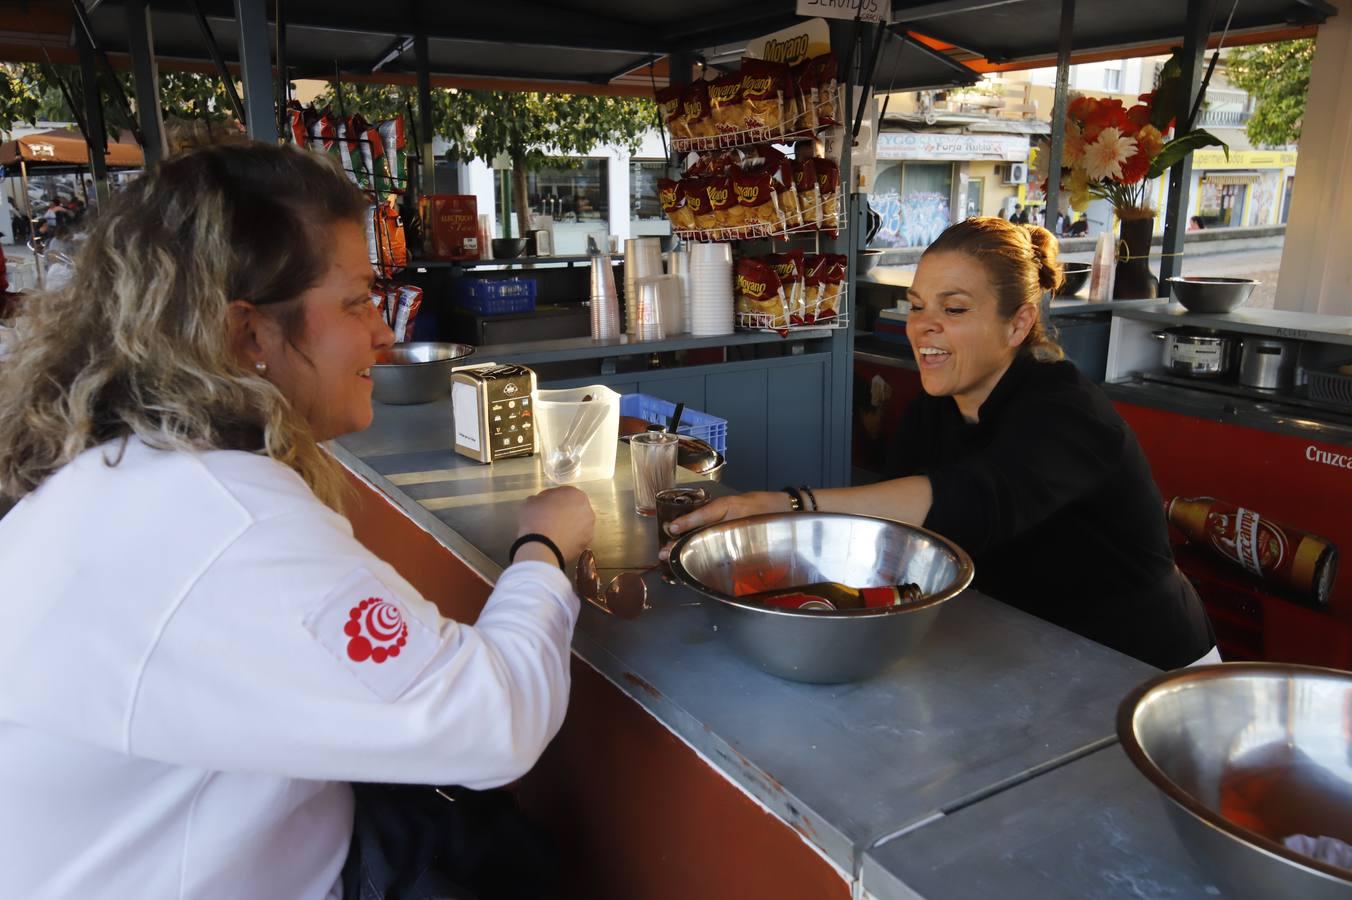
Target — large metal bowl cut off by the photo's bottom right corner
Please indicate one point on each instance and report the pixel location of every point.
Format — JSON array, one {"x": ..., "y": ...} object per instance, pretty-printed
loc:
[{"x": 1247, "y": 755}]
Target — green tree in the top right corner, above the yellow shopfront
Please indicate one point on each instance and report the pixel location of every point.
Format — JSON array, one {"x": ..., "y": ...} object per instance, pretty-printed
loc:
[{"x": 1278, "y": 78}]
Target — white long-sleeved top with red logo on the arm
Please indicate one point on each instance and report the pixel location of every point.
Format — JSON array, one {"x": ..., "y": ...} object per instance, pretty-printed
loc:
[{"x": 197, "y": 656}]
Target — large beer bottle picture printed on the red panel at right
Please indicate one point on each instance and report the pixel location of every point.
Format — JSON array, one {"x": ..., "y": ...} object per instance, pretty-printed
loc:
[{"x": 1296, "y": 561}]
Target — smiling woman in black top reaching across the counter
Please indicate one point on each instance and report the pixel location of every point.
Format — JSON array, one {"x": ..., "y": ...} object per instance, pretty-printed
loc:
[{"x": 1021, "y": 460}]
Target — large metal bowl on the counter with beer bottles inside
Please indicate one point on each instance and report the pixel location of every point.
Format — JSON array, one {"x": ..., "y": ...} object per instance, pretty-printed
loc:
[{"x": 767, "y": 552}]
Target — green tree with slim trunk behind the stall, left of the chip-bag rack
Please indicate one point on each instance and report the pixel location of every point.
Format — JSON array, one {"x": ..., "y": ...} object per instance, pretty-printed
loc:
[{"x": 529, "y": 129}]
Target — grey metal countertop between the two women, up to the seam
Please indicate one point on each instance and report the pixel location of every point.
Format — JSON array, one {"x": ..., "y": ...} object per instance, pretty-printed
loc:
[{"x": 992, "y": 699}]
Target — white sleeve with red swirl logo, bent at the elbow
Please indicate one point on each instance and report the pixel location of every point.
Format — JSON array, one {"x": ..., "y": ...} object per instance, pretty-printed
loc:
[{"x": 299, "y": 653}]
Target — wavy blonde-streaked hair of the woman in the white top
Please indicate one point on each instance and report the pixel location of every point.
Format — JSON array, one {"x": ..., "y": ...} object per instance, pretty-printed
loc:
[{"x": 137, "y": 341}]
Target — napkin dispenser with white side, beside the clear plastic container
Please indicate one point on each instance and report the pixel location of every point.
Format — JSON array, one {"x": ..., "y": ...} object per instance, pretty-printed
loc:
[{"x": 494, "y": 416}]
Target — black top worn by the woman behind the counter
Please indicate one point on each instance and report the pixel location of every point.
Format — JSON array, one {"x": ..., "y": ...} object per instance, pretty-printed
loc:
[{"x": 1054, "y": 498}]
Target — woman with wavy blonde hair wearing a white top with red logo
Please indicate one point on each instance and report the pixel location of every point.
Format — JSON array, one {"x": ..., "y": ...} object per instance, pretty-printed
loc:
[{"x": 198, "y": 657}]
